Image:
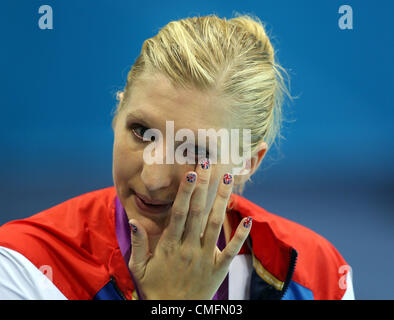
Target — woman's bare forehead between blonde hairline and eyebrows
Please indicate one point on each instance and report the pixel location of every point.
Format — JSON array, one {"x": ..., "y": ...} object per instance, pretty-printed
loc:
[{"x": 157, "y": 100}]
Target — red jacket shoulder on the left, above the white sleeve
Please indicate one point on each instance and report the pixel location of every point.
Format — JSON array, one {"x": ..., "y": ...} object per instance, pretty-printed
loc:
[{"x": 75, "y": 238}]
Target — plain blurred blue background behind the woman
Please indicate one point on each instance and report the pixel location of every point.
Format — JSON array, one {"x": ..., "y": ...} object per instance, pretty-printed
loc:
[{"x": 333, "y": 172}]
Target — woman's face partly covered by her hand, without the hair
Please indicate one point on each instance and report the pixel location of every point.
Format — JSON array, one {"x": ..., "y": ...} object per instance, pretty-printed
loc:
[{"x": 151, "y": 103}]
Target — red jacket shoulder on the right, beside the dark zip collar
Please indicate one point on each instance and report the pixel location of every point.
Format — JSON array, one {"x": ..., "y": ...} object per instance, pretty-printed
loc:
[{"x": 319, "y": 263}]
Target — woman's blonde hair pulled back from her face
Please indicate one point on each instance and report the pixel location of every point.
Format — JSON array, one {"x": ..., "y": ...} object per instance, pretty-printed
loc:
[{"x": 234, "y": 57}]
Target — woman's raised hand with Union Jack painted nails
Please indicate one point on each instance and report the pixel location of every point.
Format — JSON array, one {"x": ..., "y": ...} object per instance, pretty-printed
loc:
[{"x": 184, "y": 265}]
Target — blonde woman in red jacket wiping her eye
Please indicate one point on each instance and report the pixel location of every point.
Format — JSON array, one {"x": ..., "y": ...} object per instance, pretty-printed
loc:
[{"x": 167, "y": 229}]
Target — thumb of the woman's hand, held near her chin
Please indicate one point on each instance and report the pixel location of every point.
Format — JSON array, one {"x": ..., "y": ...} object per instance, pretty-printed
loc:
[{"x": 139, "y": 249}]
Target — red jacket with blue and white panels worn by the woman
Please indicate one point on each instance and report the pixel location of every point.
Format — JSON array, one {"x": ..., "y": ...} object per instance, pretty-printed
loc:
[{"x": 77, "y": 239}]
